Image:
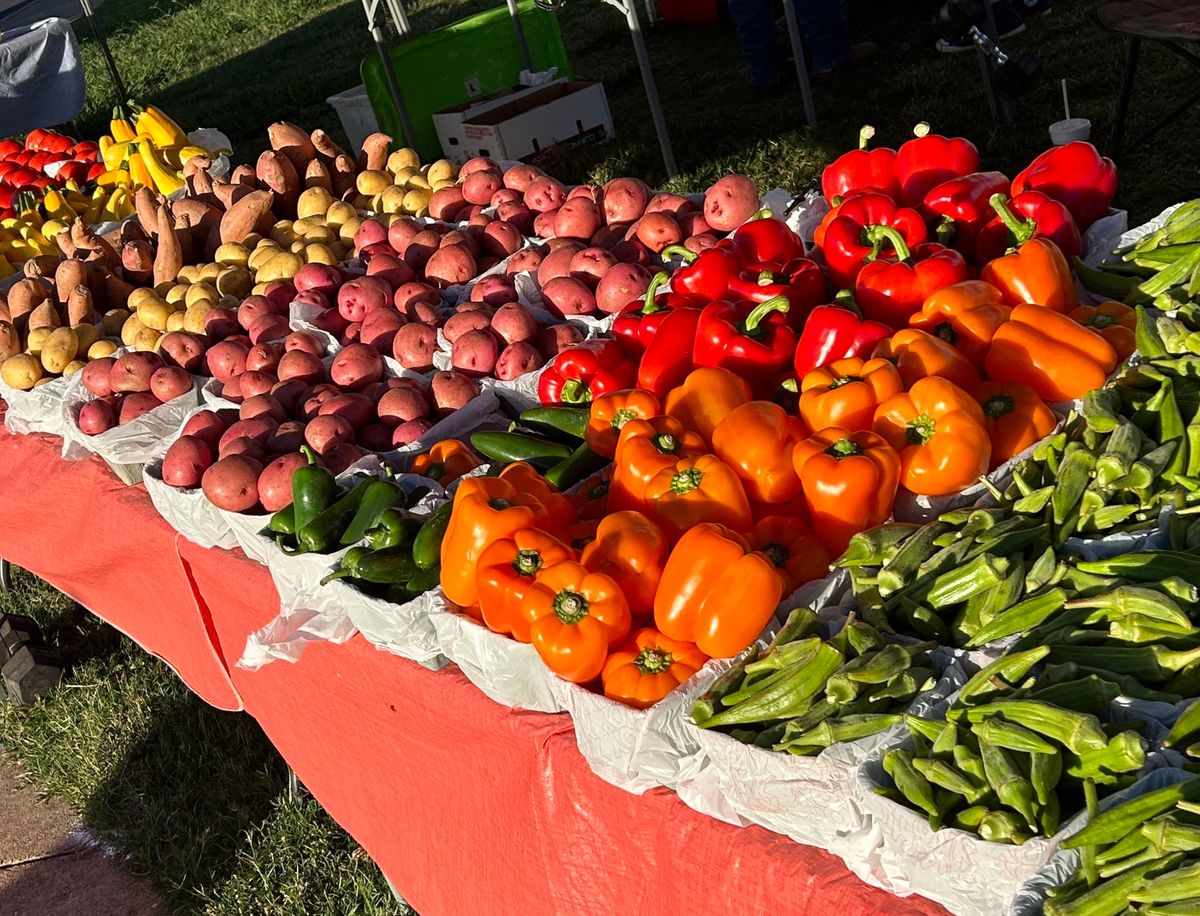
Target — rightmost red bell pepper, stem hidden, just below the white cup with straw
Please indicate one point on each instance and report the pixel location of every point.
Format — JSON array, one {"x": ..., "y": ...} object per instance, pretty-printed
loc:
[{"x": 1076, "y": 176}]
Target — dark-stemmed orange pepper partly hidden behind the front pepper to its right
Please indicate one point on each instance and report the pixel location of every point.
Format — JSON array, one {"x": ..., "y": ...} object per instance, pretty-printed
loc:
[{"x": 507, "y": 570}]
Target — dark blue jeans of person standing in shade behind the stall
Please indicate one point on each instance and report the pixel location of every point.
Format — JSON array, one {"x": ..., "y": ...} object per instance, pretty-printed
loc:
[{"x": 823, "y": 23}]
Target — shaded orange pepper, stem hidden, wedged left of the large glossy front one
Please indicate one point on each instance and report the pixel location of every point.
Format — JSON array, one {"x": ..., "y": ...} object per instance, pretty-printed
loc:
[{"x": 632, "y": 550}]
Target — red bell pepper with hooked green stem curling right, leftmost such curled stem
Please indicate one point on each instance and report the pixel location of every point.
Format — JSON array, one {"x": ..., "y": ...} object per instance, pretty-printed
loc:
[{"x": 743, "y": 339}]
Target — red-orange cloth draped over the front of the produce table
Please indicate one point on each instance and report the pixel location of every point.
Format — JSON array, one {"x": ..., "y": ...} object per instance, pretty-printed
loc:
[{"x": 463, "y": 804}]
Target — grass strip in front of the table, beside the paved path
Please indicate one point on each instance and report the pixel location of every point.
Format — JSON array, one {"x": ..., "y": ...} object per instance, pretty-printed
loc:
[{"x": 197, "y": 798}]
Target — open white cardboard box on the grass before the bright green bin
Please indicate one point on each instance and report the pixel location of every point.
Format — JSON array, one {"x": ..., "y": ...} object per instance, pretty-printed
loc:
[{"x": 526, "y": 123}]
